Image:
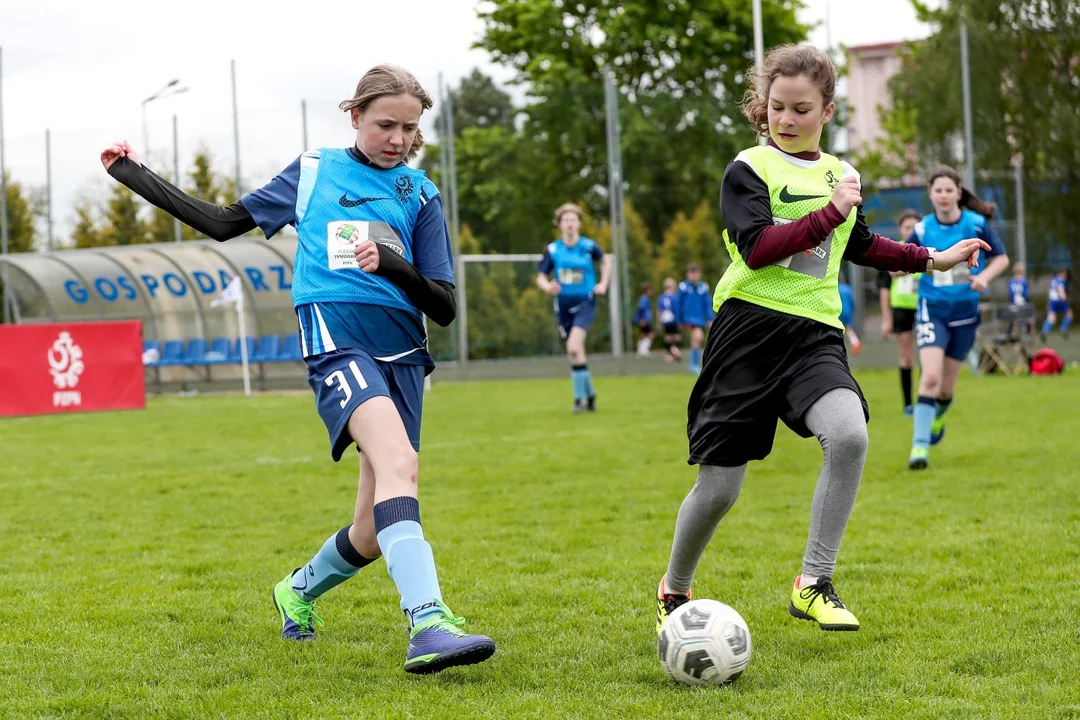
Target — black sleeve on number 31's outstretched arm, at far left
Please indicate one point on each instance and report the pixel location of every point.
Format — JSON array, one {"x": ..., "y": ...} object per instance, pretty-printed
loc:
[{"x": 213, "y": 221}]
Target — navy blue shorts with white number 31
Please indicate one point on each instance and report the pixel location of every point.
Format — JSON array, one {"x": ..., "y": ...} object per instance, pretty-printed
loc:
[{"x": 344, "y": 379}]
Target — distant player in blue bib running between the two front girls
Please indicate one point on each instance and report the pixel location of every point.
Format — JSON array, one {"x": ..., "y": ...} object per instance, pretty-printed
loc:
[{"x": 568, "y": 271}]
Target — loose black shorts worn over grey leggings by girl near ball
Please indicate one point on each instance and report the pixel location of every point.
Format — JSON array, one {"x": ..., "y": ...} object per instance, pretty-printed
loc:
[{"x": 761, "y": 366}]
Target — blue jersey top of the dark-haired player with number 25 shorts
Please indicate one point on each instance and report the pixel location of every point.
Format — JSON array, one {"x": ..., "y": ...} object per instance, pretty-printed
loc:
[{"x": 952, "y": 289}]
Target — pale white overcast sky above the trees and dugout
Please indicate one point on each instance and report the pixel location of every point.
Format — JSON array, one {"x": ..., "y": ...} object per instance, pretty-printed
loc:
[{"x": 83, "y": 70}]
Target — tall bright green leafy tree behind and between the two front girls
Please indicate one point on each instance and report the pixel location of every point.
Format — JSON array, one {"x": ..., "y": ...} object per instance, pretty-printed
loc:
[{"x": 679, "y": 67}]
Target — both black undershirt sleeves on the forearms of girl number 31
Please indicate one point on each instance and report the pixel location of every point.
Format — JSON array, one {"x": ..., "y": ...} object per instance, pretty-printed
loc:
[{"x": 435, "y": 298}]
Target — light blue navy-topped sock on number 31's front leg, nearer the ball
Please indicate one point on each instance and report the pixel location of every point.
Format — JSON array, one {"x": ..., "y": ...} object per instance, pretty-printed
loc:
[{"x": 410, "y": 560}]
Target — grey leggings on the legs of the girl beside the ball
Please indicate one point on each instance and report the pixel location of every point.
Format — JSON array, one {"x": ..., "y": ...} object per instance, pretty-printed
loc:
[{"x": 839, "y": 423}]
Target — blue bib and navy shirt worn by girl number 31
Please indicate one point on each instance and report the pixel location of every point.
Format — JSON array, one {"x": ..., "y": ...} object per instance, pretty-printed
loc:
[{"x": 336, "y": 198}]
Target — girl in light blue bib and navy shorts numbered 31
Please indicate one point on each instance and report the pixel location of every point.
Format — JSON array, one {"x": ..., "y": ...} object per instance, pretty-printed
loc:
[{"x": 373, "y": 256}]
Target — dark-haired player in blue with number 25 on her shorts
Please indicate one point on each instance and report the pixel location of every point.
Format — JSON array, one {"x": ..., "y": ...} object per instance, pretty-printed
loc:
[{"x": 948, "y": 314}]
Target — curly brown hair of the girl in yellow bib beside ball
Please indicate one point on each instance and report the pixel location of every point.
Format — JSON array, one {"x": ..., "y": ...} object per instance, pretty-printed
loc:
[{"x": 790, "y": 62}]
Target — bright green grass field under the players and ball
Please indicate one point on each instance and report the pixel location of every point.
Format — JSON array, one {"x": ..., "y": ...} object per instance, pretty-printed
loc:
[{"x": 138, "y": 553}]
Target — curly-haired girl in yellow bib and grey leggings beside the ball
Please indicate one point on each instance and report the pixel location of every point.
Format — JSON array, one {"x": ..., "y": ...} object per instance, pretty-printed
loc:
[{"x": 776, "y": 350}]
